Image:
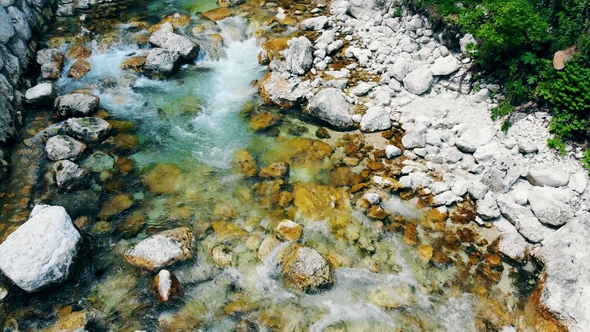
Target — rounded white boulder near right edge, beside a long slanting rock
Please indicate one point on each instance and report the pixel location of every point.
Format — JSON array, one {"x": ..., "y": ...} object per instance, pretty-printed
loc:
[{"x": 550, "y": 205}]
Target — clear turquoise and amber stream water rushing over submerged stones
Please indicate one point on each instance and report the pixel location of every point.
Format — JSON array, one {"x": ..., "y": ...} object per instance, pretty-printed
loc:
[{"x": 171, "y": 163}]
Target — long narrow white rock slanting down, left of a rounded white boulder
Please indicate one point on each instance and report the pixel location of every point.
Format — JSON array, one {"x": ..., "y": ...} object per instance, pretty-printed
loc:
[{"x": 523, "y": 218}]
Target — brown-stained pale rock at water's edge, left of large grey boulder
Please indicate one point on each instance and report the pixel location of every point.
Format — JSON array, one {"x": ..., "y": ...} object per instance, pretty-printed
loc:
[{"x": 279, "y": 88}]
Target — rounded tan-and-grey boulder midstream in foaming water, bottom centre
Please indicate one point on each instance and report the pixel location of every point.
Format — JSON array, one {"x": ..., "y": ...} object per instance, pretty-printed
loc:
[{"x": 304, "y": 268}]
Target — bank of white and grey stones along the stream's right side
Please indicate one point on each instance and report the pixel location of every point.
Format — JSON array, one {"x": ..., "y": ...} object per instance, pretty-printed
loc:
[{"x": 395, "y": 72}]
